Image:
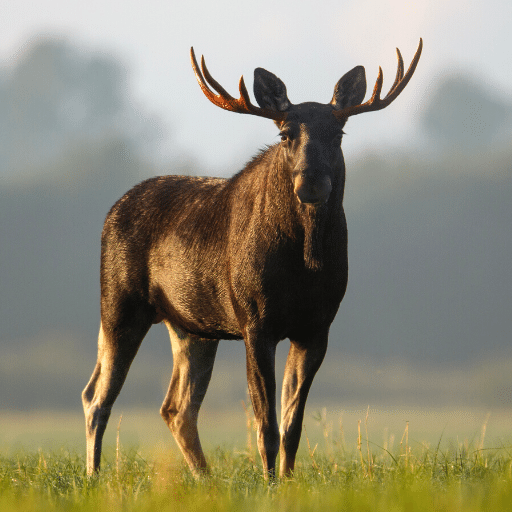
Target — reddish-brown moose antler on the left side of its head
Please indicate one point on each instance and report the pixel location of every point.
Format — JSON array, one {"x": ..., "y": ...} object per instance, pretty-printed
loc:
[{"x": 224, "y": 100}]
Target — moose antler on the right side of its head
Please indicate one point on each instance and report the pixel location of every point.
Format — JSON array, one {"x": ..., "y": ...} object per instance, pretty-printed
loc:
[{"x": 375, "y": 102}]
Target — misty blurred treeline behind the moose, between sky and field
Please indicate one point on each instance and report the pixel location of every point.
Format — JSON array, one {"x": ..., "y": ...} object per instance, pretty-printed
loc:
[{"x": 426, "y": 319}]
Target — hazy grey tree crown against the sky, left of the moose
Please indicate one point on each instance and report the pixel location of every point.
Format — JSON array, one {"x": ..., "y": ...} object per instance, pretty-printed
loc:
[{"x": 55, "y": 97}]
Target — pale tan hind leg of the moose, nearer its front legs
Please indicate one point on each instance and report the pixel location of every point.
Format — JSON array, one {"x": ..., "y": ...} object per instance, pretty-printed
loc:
[{"x": 193, "y": 359}]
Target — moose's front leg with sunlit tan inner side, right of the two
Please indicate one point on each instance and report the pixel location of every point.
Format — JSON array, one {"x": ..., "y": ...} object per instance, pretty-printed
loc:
[{"x": 301, "y": 366}]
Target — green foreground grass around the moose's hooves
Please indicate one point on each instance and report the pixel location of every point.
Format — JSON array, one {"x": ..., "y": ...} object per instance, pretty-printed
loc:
[{"x": 339, "y": 468}]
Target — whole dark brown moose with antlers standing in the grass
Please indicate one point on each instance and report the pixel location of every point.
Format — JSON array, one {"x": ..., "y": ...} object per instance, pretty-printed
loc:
[{"x": 261, "y": 256}]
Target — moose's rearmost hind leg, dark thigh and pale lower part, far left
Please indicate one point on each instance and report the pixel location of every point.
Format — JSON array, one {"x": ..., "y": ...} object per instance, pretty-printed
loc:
[{"x": 115, "y": 355}]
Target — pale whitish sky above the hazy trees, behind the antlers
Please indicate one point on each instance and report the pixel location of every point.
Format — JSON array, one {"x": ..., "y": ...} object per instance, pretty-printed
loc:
[{"x": 309, "y": 45}]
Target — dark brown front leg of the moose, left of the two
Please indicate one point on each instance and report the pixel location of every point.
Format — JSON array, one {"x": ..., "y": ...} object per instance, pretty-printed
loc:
[{"x": 261, "y": 379}]
